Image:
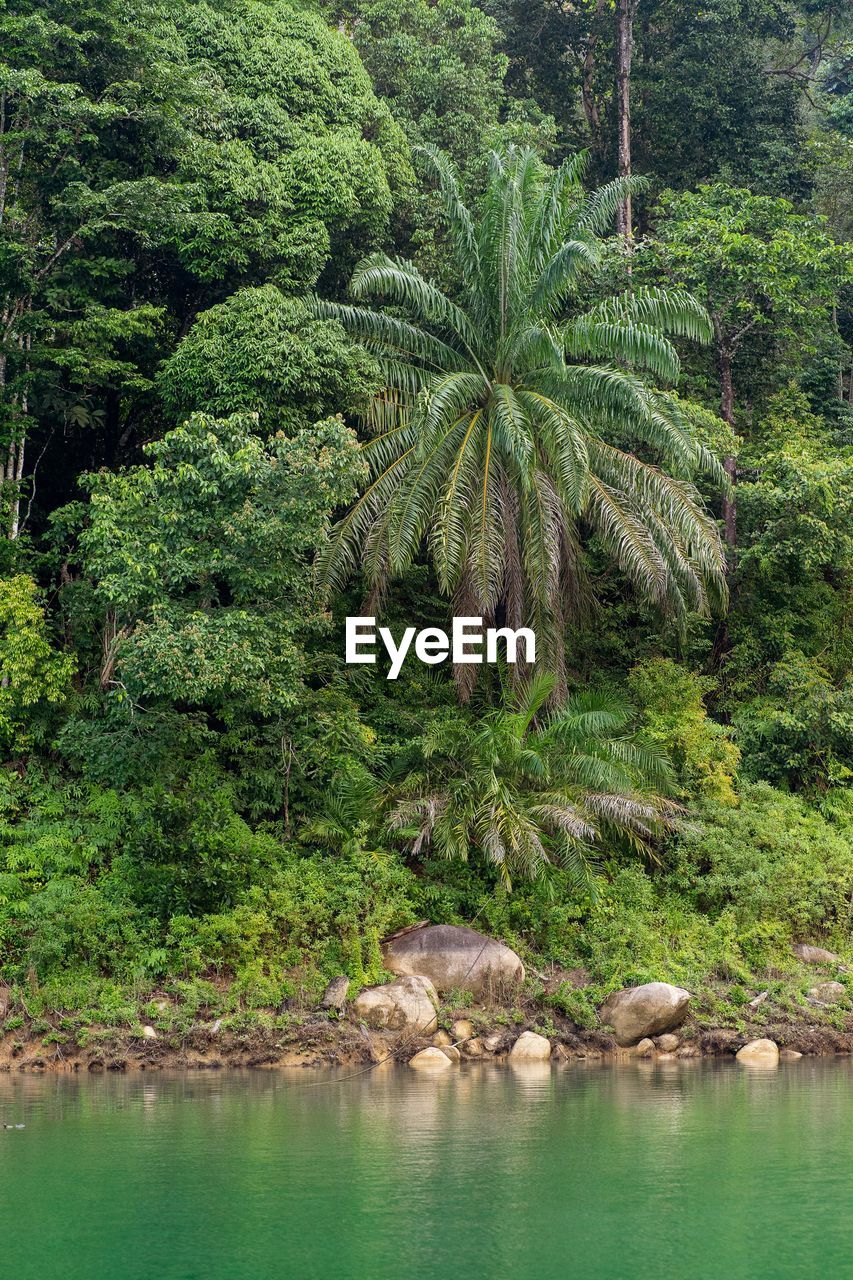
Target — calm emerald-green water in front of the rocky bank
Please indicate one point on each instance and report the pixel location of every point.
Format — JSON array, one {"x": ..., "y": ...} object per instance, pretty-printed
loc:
[{"x": 683, "y": 1171}]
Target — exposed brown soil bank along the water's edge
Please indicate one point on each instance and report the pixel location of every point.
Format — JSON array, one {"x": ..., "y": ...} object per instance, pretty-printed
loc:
[{"x": 320, "y": 1041}]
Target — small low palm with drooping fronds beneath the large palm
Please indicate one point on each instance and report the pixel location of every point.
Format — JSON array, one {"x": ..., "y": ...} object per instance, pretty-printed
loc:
[{"x": 527, "y": 790}]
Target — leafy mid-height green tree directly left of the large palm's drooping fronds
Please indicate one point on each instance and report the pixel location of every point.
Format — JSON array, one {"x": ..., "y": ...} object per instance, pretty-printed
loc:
[{"x": 202, "y": 563}]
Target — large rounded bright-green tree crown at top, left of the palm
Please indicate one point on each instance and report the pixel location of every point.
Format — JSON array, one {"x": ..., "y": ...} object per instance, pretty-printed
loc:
[{"x": 298, "y": 163}]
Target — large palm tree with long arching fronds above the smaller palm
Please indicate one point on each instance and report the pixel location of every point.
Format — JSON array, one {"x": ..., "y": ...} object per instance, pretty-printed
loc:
[{"x": 500, "y": 426}]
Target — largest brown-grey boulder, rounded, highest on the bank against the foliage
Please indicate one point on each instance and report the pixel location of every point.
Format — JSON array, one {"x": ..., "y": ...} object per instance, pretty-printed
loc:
[{"x": 454, "y": 958}]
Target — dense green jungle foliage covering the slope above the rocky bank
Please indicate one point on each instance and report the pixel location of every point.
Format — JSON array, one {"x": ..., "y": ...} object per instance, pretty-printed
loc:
[{"x": 308, "y": 305}]
